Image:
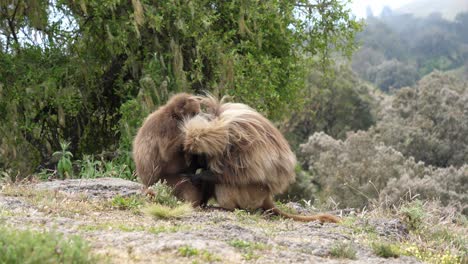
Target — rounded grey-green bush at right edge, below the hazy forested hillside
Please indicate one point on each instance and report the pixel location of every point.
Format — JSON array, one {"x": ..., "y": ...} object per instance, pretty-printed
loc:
[{"x": 428, "y": 122}]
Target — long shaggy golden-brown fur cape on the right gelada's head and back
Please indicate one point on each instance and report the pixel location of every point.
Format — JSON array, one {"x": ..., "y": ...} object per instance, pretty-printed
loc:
[{"x": 242, "y": 146}]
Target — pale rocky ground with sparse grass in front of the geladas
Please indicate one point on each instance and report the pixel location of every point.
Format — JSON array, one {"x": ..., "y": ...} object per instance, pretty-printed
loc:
[{"x": 125, "y": 235}]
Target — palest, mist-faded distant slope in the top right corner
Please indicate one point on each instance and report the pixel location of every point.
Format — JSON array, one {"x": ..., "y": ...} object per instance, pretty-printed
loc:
[{"x": 448, "y": 8}]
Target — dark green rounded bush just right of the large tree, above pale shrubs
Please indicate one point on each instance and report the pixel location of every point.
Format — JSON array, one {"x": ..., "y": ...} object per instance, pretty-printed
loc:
[{"x": 335, "y": 104}]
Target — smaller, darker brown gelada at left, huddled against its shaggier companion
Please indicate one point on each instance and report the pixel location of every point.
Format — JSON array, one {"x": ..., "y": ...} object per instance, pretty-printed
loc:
[{"x": 158, "y": 149}]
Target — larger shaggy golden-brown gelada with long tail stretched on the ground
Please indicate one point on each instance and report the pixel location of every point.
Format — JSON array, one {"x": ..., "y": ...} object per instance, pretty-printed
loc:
[{"x": 249, "y": 157}]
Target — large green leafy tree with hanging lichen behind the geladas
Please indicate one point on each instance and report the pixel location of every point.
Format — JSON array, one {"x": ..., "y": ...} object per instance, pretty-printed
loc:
[{"x": 91, "y": 76}]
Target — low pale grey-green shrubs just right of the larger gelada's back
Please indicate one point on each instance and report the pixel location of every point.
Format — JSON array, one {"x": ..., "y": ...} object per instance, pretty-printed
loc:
[{"x": 359, "y": 170}]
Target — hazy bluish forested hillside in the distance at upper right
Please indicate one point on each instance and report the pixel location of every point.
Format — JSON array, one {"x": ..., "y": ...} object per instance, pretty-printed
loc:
[{"x": 397, "y": 50}]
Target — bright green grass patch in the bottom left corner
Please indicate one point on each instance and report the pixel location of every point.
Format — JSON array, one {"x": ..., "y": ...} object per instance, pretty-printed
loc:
[{"x": 18, "y": 246}]
